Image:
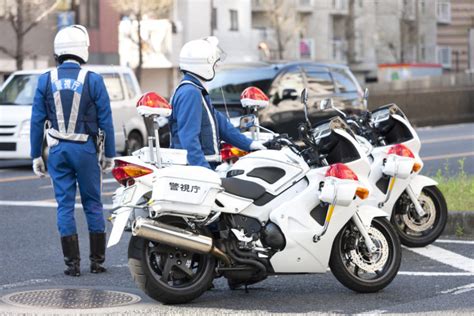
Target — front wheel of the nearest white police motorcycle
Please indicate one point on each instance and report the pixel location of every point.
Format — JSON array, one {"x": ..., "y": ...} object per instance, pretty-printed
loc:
[{"x": 358, "y": 269}]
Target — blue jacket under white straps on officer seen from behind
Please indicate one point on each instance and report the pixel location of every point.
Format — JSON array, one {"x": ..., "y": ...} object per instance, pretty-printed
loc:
[{"x": 94, "y": 108}]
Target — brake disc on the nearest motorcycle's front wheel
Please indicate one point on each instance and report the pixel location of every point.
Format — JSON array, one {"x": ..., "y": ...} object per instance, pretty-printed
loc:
[{"x": 379, "y": 257}]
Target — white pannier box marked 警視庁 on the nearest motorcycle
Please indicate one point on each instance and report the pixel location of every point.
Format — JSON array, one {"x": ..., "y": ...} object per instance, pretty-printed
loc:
[{"x": 189, "y": 190}]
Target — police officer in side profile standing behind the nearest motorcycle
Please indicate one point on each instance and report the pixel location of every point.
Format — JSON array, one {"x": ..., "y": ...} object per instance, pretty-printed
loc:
[{"x": 195, "y": 124}]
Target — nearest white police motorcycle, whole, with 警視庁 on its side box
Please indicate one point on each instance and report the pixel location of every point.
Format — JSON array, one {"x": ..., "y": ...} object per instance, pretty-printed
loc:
[{"x": 279, "y": 211}]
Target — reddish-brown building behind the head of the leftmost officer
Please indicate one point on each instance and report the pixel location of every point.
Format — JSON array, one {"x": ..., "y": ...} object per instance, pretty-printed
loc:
[{"x": 97, "y": 15}]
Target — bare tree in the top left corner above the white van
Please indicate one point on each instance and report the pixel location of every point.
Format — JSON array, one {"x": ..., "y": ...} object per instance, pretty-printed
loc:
[{"x": 23, "y": 16}]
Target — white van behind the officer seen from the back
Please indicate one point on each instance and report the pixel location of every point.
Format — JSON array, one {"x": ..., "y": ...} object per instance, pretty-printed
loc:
[{"x": 16, "y": 98}]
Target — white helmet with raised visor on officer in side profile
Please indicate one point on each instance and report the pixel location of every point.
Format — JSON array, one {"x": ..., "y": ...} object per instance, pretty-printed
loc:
[{"x": 200, "y": 56}]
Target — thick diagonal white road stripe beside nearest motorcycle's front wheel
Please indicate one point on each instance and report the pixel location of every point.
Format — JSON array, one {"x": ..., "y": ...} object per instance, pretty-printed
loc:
[{"x": 446, "y": 257}]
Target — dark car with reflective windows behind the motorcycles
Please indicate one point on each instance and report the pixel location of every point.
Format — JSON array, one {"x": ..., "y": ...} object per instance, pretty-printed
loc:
[{"x": 283, "y": 83}]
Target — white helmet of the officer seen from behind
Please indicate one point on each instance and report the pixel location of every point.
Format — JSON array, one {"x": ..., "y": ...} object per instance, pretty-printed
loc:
[{"x": 72, "y": 41}]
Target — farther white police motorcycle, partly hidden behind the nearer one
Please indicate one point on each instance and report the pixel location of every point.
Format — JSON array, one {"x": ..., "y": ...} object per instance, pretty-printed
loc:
[{"x": 417, "y": 208}]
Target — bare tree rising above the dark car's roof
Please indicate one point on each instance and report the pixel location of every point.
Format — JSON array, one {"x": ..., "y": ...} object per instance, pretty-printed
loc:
[{"x": 281, "y": 16}]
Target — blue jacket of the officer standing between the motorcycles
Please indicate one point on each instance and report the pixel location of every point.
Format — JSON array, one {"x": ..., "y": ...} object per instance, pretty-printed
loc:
[{"x": 191, "y": 126}]
